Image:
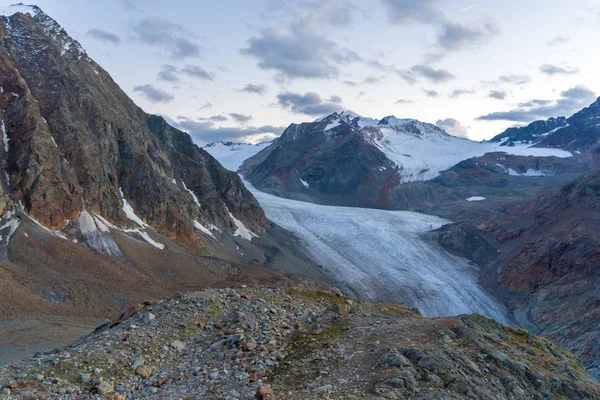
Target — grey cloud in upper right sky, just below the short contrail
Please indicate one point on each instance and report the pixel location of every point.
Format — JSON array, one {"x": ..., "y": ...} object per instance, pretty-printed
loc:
[{"x": 453, "y": 36}]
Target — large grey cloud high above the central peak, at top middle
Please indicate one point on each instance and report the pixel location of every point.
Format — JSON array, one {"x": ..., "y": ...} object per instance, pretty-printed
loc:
[{"x": 298, "y": 52}]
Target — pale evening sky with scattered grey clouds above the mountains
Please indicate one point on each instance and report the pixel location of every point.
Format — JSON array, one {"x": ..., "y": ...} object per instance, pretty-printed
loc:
[{"x": 242, "y": 71}]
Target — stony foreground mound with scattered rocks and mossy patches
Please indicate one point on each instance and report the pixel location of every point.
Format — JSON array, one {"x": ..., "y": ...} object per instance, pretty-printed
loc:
[{"x": 298, "y": 343}]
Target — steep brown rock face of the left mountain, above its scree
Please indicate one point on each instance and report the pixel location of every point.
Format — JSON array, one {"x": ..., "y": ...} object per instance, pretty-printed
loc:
[{"x": 73, "y": 141}]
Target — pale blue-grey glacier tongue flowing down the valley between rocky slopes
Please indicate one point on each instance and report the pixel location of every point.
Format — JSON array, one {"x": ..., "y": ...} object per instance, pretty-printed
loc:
[{"x": 379, "y": 255}]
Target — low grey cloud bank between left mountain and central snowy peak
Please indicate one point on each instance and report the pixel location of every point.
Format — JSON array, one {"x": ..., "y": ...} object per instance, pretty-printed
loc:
[{"x": 206, "y": 132}]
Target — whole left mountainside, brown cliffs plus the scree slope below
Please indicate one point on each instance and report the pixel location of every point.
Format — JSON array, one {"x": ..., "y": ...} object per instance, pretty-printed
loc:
[{"x": 102, "y": 204}]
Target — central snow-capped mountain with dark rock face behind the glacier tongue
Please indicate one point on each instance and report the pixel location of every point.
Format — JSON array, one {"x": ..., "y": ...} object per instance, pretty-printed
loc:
[{"x": 345, "y": 159}]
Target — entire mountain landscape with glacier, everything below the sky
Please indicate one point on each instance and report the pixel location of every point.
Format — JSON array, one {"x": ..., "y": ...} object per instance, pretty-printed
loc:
[{"x": 104, "y": 207}]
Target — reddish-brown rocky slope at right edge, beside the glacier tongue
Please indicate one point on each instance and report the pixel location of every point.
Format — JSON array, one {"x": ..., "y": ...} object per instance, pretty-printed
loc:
[{"x": 541, "y": 257}]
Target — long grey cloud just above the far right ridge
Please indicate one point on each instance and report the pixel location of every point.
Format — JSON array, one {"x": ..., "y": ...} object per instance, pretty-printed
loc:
[{"x": 569, "y": 102}]
